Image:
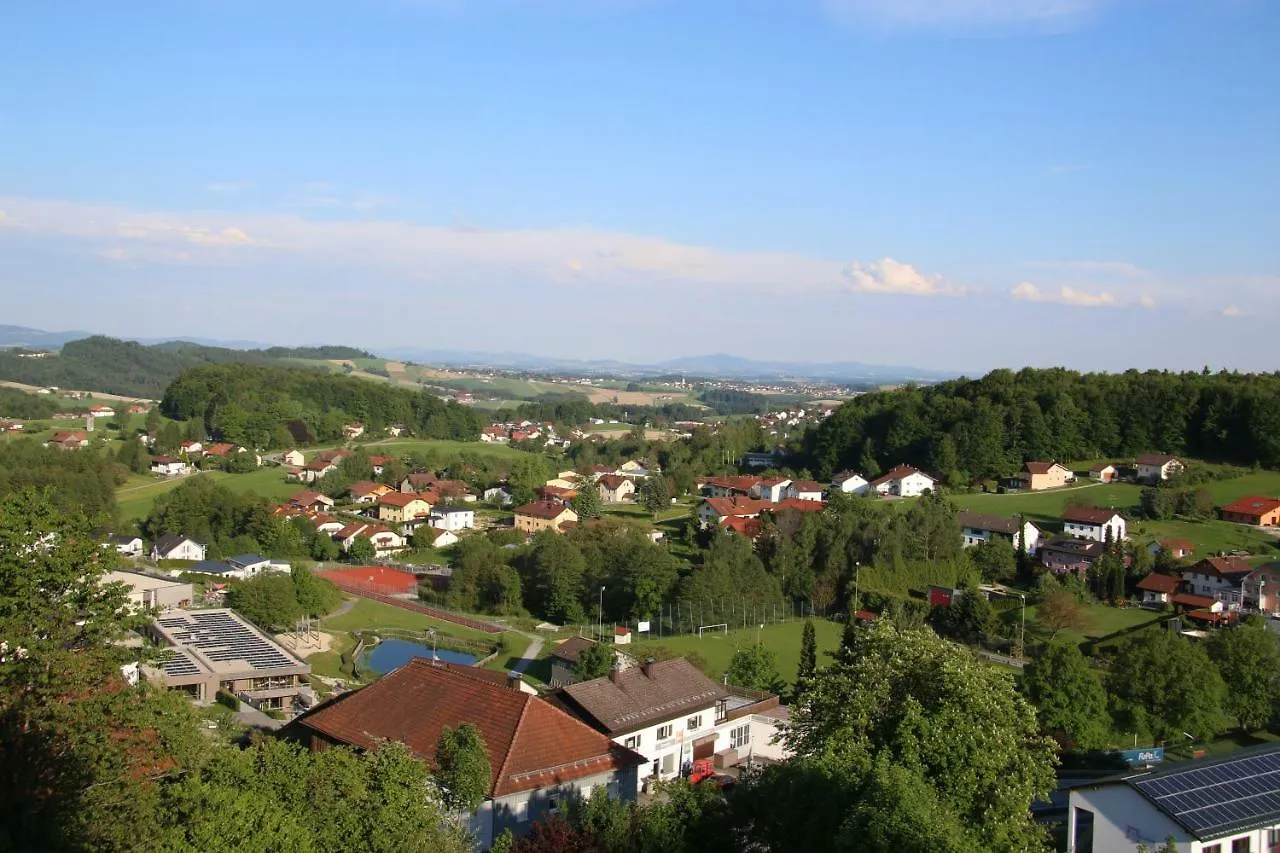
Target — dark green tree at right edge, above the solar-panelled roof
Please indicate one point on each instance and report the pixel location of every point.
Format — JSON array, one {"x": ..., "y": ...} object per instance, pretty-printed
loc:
[{"x": 1249, "y": 660}]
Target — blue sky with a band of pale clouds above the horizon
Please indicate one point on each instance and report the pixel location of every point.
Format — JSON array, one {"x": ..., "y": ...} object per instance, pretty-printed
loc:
[{"x": 950, "y": 184}]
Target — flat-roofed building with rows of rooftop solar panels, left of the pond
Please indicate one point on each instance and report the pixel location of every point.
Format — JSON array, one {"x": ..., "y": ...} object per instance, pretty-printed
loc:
[{"x": 217, "y": 650}]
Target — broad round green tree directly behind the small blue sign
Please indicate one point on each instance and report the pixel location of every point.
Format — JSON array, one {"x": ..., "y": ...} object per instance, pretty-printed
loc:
[{"x": 1163, "y": 686}]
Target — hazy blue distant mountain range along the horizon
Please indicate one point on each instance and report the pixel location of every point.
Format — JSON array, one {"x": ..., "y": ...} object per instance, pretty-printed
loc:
[{"x": 720, "y": 366}]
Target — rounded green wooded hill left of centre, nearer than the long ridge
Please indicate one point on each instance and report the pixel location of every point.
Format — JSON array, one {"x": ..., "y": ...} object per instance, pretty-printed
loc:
[{"x": 254, "y": 405}]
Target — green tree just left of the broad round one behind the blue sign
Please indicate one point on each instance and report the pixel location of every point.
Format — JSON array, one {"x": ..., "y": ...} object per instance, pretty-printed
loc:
[{"x": 1068, "y": 695}]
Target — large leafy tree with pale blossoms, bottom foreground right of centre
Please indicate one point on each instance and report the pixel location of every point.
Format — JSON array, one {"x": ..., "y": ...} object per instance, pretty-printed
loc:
[{"x": 888, "y": 727}]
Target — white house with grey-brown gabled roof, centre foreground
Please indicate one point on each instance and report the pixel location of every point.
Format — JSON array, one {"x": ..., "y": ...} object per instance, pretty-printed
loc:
[{"x": 669, "y": 713}]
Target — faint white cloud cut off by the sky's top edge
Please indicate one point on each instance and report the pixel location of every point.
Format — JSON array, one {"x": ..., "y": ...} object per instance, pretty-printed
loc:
[{"x": 962, "y": 13}]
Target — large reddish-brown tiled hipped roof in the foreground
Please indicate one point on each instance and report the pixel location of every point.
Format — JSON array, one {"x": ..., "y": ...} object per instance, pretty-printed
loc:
[{"x": 531, "y": 743}]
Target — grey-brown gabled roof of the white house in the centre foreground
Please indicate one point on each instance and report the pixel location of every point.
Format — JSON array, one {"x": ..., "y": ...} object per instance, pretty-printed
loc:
[{"x": 632, "y": 699}]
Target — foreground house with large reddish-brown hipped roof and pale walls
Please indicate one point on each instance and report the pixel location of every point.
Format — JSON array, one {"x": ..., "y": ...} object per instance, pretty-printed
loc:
[{"x": 538, "y": 755}]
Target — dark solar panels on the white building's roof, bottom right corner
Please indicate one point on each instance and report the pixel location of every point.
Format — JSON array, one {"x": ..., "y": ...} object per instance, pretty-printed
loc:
[{"x": 1222, "y": 796}]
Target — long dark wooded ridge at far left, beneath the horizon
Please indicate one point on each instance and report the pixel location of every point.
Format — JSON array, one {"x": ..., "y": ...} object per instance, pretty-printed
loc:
[{"x": 136, "y": 371}]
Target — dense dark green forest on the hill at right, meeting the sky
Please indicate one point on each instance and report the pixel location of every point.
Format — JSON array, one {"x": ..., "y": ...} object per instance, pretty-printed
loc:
[{"x": 990, "y": 427}]
